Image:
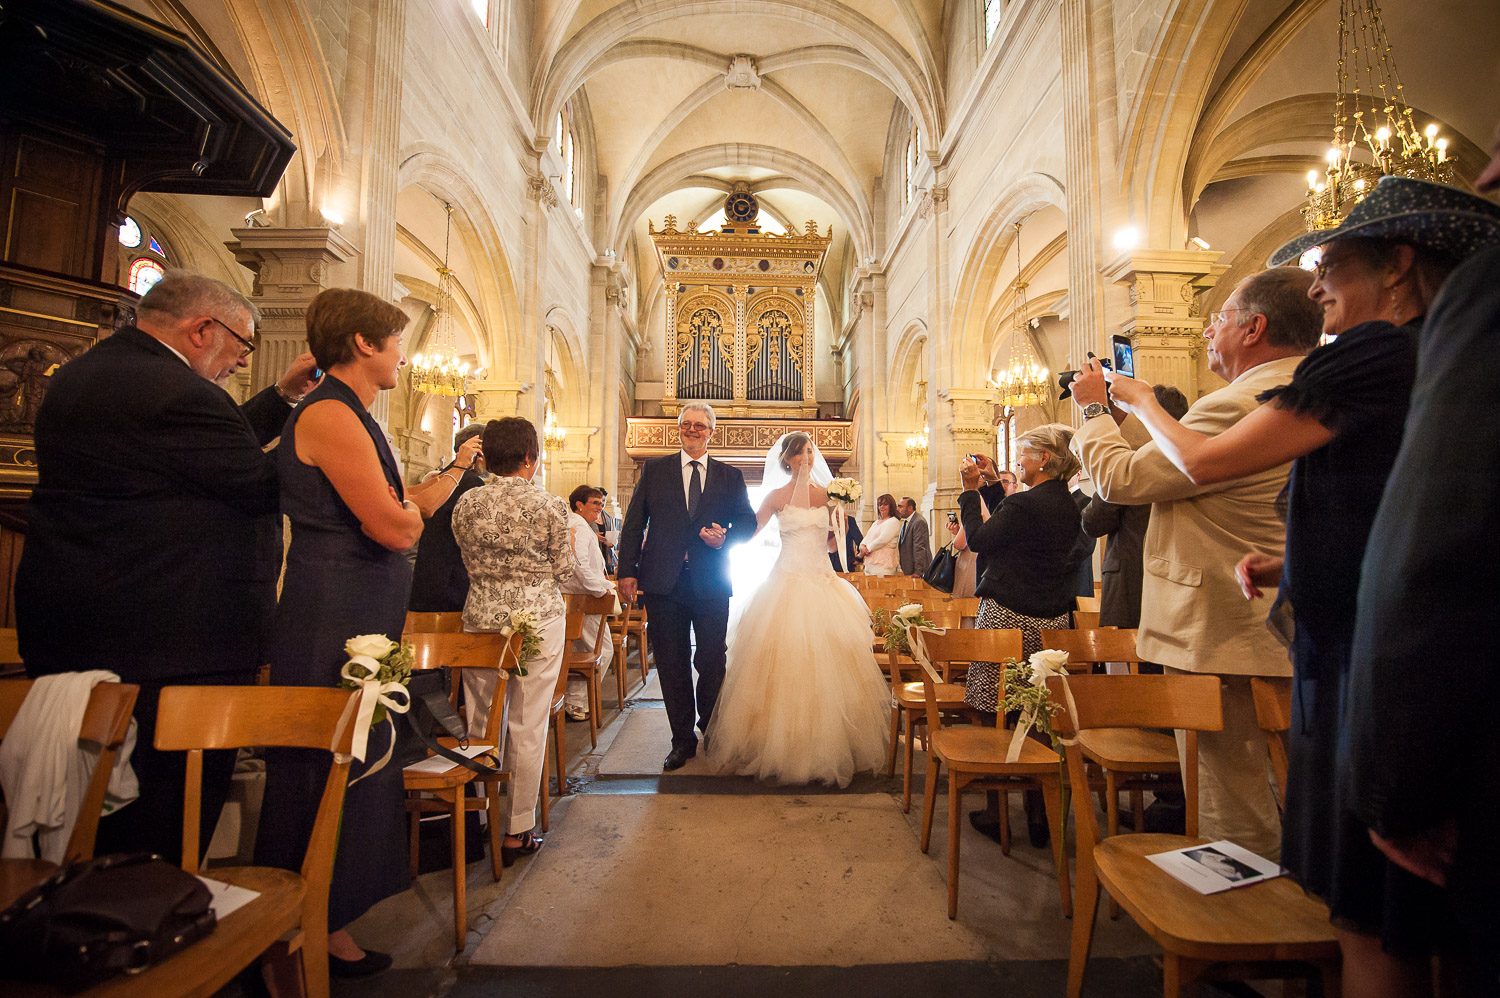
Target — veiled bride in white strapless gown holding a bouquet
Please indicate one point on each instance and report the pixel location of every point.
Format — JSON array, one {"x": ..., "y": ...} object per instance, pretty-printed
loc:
[{"x": 803, "y": 699}]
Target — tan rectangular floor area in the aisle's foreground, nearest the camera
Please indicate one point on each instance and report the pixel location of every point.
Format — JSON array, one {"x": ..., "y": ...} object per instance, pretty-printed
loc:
[{"x": 707, "y": 880}]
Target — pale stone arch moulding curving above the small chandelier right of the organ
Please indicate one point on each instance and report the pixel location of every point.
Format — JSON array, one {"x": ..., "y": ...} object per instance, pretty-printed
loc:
[{"x": 967, "y": 364}]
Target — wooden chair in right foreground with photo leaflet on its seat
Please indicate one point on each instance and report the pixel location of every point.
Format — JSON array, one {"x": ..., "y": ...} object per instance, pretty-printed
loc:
[{"x": 1246, "y": 933}]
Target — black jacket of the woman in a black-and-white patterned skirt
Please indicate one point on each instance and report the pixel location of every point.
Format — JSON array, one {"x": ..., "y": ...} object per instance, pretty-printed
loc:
[{"x": 1030, "y": 543}]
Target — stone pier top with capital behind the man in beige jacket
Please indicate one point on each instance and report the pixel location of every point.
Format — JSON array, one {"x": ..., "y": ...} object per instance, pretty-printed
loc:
[{"x": 1166, "y": 322}]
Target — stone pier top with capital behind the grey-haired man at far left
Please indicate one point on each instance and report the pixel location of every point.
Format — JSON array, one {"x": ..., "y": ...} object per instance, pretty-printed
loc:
[{"x": 292, "y": 266}]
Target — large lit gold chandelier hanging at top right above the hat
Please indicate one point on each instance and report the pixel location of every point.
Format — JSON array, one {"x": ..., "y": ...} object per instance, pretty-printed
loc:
[{"x": 1391, "y": 137}]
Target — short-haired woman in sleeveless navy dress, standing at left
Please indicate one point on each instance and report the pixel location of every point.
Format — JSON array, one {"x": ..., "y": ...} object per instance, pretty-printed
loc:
[{"x": 346, "y": 577}]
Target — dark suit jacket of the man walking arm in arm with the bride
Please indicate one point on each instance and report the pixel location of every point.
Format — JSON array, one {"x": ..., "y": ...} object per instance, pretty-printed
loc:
[{"x": 661, "y": 505}]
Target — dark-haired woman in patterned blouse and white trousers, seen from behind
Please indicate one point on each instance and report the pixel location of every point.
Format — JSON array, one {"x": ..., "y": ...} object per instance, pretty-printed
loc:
[{"x": 515, "y": 544}]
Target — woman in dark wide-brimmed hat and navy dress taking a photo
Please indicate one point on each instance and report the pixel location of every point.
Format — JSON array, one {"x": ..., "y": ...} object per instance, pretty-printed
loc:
[{"x": 1342, "y": 422}]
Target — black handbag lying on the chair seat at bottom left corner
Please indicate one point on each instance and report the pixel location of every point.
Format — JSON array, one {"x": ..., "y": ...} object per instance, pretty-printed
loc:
[{"x": 103, "y": 918}]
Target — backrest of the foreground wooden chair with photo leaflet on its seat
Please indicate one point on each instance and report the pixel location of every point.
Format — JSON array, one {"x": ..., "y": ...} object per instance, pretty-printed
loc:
[{"x": 1192, "y": 703}]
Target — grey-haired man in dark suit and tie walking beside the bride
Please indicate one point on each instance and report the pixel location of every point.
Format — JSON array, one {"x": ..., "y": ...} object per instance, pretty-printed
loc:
[{"x": 695, "y": 510}]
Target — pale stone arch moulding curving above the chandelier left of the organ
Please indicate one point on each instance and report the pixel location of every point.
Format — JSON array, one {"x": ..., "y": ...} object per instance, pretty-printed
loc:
[{"x": 497, "y": 296}]
